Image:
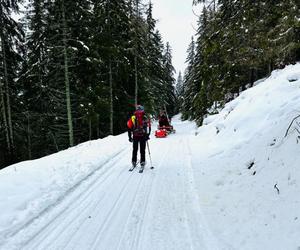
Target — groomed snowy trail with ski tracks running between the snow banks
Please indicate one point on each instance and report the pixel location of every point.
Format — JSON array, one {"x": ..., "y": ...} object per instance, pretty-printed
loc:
[{"x": 118, "y": 209}]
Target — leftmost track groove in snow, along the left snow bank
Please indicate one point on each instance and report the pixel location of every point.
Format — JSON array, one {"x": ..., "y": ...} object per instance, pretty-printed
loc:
[{"x": 33, "y": 224}]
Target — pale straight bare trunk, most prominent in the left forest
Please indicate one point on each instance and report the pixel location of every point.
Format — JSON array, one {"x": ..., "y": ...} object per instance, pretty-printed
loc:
[{"x": 67, "y": 82}]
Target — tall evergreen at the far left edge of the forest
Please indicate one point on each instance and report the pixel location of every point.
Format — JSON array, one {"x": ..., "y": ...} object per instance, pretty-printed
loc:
[{"x": 11, "y": 39}]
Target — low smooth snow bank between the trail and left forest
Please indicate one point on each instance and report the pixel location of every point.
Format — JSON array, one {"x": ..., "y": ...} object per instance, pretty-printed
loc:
[{"x": 29, "y": 188}]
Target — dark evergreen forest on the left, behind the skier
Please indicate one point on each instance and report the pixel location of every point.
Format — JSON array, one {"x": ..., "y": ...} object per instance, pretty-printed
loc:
[{"x": 72, "y": 71}]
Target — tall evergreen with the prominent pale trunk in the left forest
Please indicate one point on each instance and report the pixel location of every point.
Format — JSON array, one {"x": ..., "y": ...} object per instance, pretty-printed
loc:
[{"x": 68, "y": 66}]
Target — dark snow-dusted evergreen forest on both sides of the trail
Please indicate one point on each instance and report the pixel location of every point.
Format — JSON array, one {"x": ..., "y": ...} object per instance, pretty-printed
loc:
[{"x": 73, "y": 70}]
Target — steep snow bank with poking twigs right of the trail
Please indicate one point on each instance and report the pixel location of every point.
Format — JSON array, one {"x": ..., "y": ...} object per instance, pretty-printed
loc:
[{"x": 247, "y": 171}]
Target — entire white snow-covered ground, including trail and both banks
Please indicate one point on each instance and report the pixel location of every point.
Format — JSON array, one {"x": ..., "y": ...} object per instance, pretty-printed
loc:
[{"x": 231, "y": 184}]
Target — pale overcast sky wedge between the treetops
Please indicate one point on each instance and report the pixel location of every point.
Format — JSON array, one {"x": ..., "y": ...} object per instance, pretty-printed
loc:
[{"x": 177, "y": 24}]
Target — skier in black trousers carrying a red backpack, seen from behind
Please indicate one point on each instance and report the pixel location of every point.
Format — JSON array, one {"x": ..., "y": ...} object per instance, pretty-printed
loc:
[{"x": 139, "y": 128}]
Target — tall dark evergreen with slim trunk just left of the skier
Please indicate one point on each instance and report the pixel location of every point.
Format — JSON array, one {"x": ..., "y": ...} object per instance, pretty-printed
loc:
[{"x": 112, "y": 44}]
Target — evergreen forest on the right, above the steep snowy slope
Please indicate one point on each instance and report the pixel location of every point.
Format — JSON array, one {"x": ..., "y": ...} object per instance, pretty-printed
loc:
[{"x": 237, "y": 43}]
